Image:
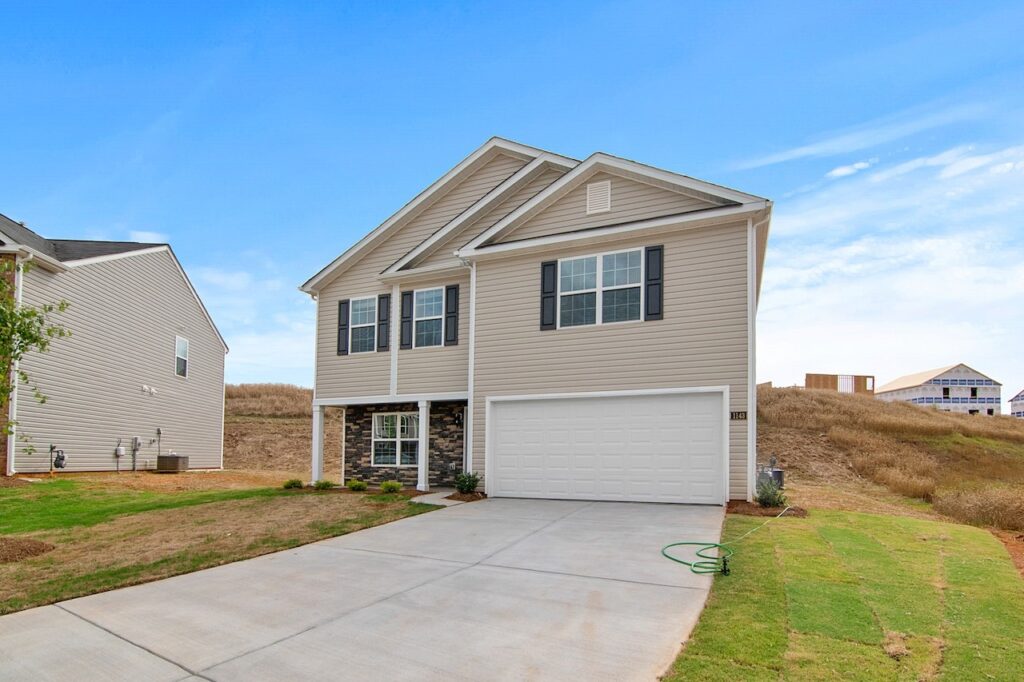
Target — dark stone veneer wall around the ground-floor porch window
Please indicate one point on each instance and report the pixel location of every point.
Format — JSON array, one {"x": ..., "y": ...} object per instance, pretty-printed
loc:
[{"x": 446, "y": 447}]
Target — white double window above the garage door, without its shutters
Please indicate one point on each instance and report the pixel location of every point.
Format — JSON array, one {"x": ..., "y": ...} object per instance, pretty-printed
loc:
[{"x": 601, "y": 290}]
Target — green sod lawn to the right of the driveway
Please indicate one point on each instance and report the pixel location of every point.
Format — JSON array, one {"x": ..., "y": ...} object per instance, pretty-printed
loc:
[{"x": 848, "y": 596}]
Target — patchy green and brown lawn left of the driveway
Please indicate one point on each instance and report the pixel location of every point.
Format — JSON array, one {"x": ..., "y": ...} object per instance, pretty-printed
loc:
[{"x": 107, "y": 538}]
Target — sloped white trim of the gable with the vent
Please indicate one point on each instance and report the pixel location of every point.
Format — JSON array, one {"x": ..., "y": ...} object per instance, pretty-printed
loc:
[{"x": 615, "y": 165}]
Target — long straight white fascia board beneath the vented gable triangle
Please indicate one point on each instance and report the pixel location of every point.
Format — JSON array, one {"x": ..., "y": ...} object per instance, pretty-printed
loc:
[{"x": 613, "y": 231}]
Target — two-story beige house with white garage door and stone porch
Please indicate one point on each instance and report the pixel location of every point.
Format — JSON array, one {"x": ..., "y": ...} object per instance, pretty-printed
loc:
[{"x": 580, "y": 330}]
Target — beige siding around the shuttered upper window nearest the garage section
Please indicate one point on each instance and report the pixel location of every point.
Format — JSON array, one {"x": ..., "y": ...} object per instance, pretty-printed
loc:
[{"x": 444, "y": 369}]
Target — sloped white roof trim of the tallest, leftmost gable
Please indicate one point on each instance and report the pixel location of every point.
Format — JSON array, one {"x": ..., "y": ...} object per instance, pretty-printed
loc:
[{"x": 422, "y": 201}]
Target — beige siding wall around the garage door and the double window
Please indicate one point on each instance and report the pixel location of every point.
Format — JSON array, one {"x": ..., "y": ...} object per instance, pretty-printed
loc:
[{"x": 703, "y": 340}]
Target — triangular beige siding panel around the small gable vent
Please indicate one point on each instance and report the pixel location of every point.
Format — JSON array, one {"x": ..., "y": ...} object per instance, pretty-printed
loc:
[{"x": 630, "y": 201}]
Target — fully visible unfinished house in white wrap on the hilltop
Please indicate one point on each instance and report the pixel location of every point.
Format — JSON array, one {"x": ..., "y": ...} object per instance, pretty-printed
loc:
[{"x": 954, "y": 389}]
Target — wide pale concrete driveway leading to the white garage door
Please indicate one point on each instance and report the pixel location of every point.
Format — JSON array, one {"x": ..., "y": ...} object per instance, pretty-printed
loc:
[{"x": 500, "y": 589}]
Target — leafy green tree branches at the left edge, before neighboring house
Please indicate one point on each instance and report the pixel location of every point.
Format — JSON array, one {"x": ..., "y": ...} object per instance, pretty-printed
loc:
[{"x": 24, "y": 329}]
